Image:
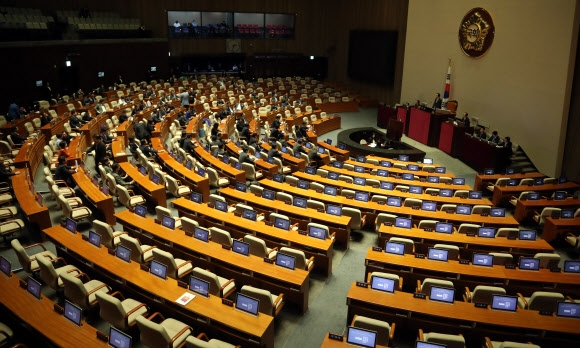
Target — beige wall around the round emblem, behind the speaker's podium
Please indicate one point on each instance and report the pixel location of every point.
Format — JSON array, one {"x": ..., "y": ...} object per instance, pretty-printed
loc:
[{"x": 521, "y": 87}]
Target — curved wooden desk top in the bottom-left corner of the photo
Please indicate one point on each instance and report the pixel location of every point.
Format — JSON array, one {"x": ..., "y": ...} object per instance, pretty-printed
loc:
[{"x": 40, "y": 315}]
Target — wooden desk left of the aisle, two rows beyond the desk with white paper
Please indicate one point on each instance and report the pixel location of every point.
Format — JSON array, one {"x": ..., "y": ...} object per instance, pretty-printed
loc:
[{"x": 238, "y": 227}]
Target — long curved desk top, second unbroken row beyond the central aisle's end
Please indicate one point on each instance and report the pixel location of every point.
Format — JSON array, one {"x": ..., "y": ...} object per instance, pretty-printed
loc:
[{"x": 379, "y": 191}]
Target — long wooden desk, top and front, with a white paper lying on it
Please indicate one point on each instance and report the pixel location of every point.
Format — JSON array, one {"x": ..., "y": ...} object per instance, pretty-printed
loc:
[{"x": 237, "y": 326}]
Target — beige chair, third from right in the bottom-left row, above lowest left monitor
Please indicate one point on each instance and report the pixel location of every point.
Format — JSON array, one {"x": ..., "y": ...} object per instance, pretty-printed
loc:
[{"x": 120, "y": 313}]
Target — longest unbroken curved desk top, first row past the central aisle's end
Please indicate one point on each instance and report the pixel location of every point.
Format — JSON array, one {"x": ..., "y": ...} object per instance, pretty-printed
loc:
[{"x": 374, "y": 207}]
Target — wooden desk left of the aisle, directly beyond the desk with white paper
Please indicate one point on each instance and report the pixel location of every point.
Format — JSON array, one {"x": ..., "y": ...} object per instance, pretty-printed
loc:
[{"x": 246, "y": 270}]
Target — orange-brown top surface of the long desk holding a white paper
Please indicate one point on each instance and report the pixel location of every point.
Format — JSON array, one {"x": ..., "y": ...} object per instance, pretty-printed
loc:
[{"x": 260, "y": 328}]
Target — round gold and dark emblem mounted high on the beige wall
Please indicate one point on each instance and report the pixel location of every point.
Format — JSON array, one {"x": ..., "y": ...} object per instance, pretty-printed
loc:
[{"x": 476, "y": 32}]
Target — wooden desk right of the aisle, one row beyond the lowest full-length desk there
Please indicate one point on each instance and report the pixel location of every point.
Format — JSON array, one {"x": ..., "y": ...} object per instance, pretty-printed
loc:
[{"x": 513, "y": 280}]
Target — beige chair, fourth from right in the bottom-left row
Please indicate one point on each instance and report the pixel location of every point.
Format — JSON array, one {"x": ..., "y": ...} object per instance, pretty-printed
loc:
[{"x": 82, "y": 294}]
